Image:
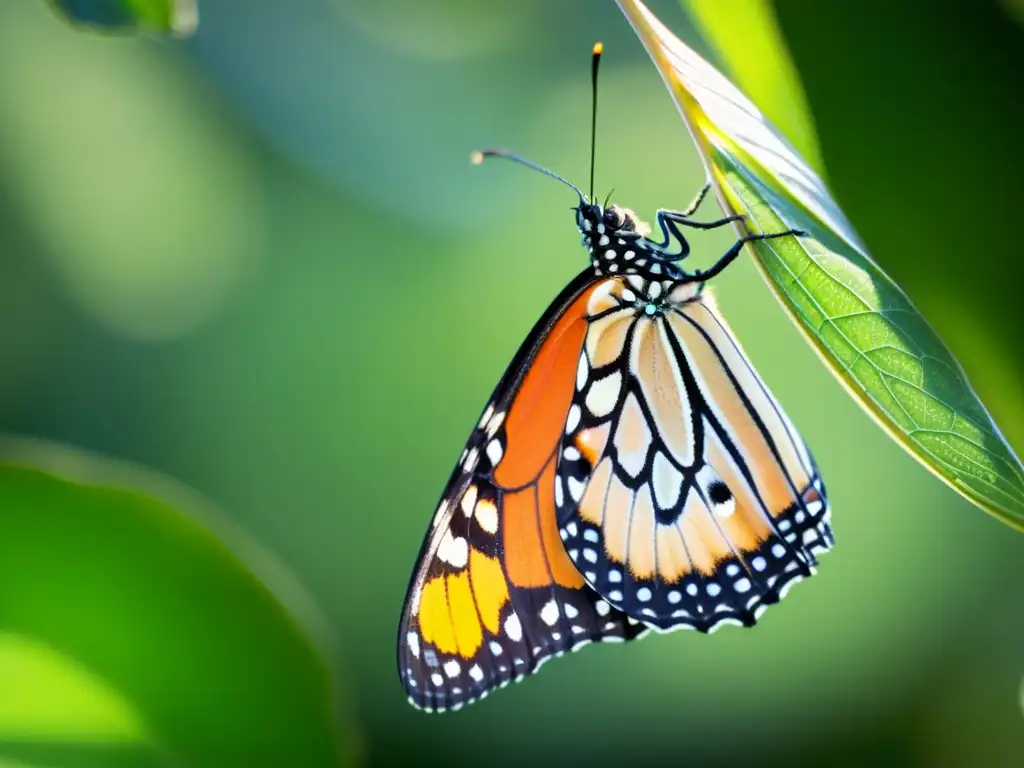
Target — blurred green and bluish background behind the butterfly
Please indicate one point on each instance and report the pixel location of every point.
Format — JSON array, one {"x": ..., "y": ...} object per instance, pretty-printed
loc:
[{"x": 261, "y": 263}]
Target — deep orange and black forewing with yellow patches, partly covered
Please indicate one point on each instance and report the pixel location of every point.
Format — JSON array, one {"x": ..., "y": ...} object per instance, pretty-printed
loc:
[{"x": 494, "y": 593}]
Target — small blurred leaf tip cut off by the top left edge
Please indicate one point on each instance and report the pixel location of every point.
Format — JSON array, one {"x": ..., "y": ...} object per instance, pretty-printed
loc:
[{"x": 179, "y": 18}]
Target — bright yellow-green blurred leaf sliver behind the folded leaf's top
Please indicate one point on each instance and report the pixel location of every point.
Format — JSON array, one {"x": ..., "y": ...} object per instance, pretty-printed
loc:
[{"x": 751, "y": 45}]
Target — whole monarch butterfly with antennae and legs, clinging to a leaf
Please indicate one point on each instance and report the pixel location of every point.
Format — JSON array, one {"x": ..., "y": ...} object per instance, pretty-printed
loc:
[{"x": 630, "y": 473}]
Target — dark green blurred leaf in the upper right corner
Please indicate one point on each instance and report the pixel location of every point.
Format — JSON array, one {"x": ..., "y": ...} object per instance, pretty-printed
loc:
[{"x": 918, "y": 139}]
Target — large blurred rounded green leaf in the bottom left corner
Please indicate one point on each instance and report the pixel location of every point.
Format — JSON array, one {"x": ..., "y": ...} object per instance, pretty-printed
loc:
[{"x": 132, "y": 624}]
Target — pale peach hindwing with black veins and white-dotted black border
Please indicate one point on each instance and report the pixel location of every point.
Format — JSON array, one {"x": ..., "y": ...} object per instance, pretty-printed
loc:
[{"x": 686, "y": 496}]
